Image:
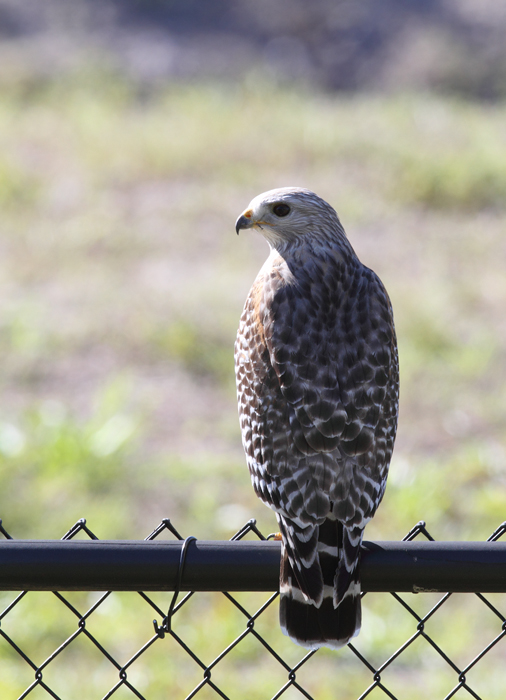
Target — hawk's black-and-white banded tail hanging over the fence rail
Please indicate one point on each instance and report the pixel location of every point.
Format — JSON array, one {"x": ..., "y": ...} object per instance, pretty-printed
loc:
[{"x": 320, "y": 587}]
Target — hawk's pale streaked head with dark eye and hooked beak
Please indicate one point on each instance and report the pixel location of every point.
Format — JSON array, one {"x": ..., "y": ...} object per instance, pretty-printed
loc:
[{"x": 286, "y": 214}]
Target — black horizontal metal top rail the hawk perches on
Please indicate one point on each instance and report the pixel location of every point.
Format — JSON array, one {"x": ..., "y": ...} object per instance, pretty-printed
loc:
[{"x": 139, "y": 565}]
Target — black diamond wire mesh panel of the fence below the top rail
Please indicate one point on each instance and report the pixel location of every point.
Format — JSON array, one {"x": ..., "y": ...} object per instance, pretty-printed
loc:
[{"x": 415, "y": 646}]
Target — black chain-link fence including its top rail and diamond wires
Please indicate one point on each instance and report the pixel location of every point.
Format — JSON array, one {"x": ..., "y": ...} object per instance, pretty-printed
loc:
[{"x": 416, "y": 564}]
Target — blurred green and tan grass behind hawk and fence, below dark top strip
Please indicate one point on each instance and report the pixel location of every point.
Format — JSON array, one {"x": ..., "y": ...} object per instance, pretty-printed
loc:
[{"x": 122, "y": 285}]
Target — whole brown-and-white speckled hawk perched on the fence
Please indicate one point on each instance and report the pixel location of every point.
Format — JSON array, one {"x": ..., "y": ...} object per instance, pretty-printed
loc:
[{"x": 318, "y": 385}]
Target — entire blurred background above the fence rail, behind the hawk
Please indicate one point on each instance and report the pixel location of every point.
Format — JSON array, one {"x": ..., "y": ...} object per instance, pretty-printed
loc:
[{"x": 132, "y": 134}]
